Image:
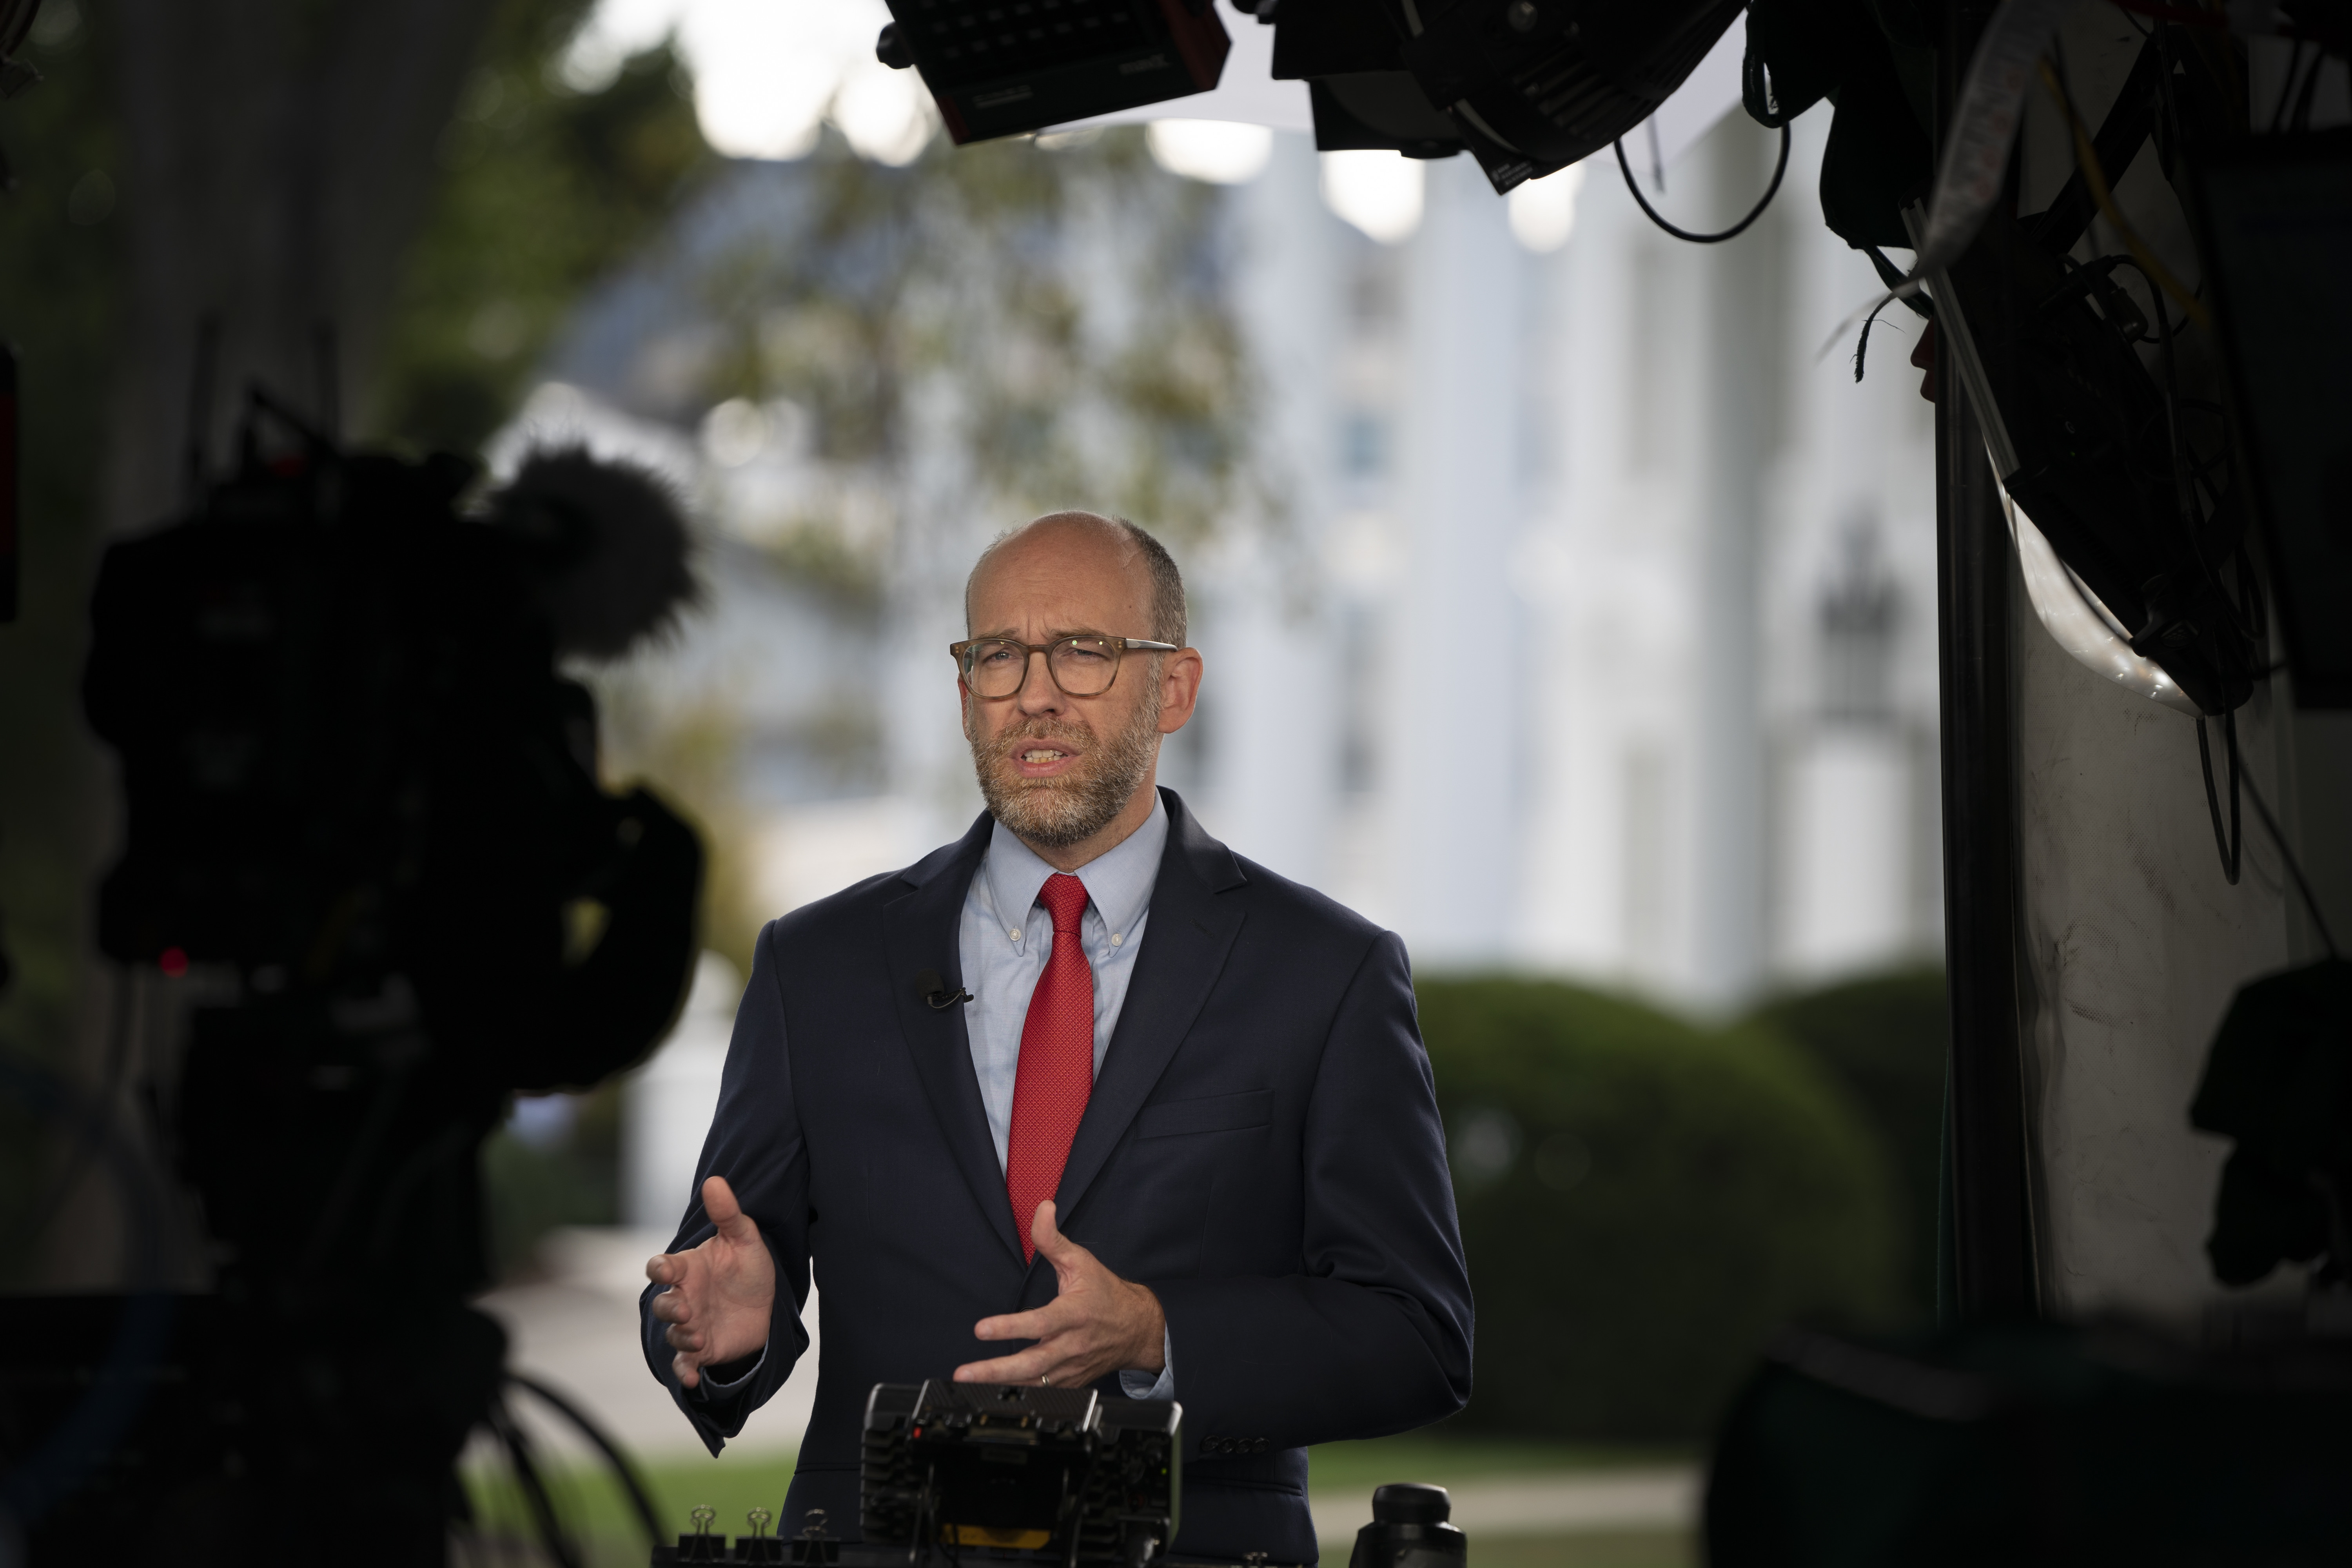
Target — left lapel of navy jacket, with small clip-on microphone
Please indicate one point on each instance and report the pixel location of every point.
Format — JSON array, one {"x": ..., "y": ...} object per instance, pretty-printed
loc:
[{"x": 923, "y": 932}]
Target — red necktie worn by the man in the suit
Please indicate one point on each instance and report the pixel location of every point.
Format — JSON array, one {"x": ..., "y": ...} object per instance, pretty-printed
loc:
[{"x": 1057, "y": 1064}]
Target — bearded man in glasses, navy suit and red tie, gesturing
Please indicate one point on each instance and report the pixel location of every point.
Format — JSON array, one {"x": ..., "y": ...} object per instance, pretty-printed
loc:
[{"x": 1078, "y": 1099}]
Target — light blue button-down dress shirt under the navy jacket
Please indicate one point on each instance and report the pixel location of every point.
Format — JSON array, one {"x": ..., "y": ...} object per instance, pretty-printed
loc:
[{"x": 1005, "y": 942}]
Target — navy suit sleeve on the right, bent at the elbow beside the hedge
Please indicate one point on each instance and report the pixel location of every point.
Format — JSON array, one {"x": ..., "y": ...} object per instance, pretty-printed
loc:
[{"x": 1372, "y": 1336}]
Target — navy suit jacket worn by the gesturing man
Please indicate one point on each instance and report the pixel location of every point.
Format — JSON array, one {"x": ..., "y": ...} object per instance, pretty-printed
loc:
[{"x": 1262, "y": 1151}]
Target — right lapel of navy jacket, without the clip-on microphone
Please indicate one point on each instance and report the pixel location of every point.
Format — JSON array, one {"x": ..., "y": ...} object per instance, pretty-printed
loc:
[{"x": 1184, "y": 951}]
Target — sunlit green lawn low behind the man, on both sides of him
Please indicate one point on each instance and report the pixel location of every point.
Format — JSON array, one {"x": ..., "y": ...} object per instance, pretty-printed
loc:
[{"x": 740, "y": 1482}]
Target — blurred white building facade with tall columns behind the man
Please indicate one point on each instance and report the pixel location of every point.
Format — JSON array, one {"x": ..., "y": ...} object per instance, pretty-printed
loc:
[{"x": 1622, "y": 589}]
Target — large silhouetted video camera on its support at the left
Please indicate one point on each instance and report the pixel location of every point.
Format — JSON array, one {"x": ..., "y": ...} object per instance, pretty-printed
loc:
[{"x": 363, "y": 808}]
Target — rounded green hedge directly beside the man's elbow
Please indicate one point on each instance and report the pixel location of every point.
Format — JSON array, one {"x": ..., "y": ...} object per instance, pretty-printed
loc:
[{"x": 1643, "y": 1202}]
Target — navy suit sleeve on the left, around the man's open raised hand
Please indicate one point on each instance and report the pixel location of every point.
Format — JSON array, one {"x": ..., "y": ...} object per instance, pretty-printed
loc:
[{"x": 759, "y": 1146}]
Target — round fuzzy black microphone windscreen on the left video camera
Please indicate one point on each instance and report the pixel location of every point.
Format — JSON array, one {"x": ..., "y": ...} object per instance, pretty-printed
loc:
[{"x": 610, "y": 547}]
